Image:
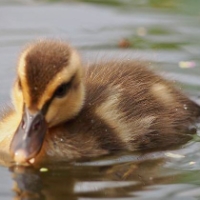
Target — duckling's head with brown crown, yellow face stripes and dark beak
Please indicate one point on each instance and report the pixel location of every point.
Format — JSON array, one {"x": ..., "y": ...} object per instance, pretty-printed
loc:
[{"x": 47, "y": 92}]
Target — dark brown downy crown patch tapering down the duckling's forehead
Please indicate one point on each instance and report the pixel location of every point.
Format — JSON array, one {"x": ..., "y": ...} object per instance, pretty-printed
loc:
[{"x": 40, "y": 59}]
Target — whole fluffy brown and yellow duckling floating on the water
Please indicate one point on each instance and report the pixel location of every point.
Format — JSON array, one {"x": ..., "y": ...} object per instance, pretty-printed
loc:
[{"x": 64, "y": 110}]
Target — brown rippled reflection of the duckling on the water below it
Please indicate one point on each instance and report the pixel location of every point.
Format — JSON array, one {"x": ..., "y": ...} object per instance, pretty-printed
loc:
[{"x": 74, "y": 181}]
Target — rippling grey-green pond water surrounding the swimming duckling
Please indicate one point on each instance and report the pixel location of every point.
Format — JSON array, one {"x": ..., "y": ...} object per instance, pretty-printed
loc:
[{"x": 167, "y": 34}]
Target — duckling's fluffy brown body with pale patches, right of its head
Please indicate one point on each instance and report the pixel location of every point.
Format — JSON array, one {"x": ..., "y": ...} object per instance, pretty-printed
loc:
[{"x": 127, "y": 107}]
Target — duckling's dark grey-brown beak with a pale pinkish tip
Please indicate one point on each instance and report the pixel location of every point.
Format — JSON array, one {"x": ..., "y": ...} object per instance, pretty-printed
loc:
[{"x": 29, "y": 137}]
